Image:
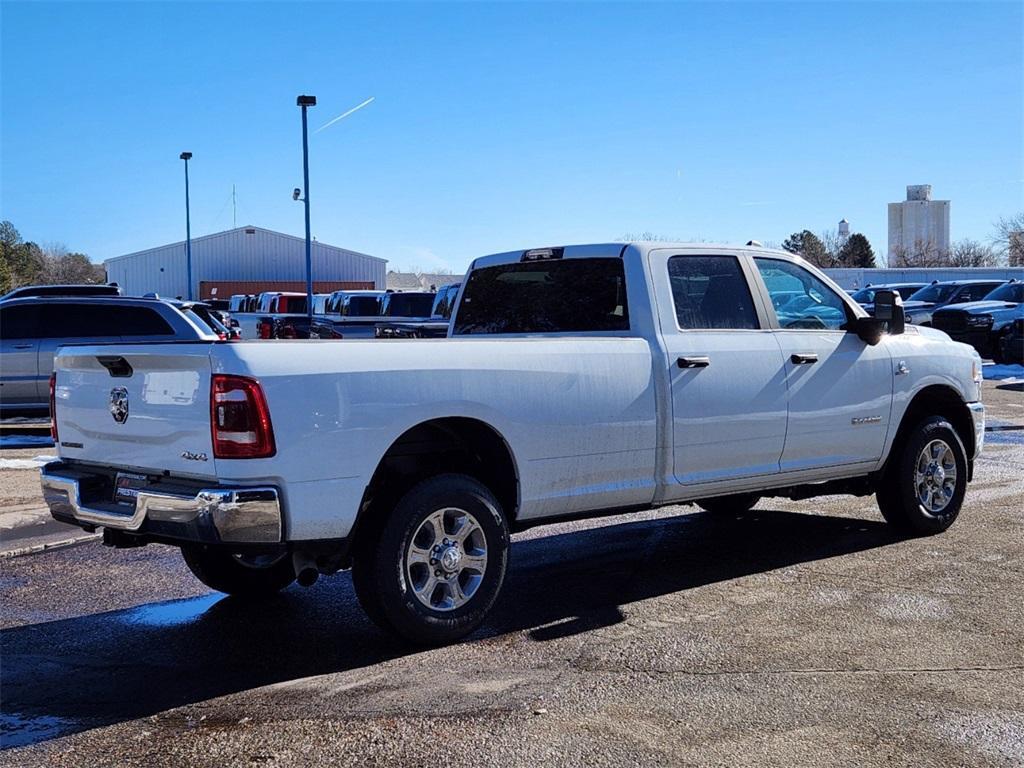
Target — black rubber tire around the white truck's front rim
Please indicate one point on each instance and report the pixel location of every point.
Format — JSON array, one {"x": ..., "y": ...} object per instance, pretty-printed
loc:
[{"x": 899, "y": 494}]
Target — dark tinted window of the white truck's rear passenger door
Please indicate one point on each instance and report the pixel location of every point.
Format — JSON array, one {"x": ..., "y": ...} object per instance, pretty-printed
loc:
[{"x": 711, "y": 292}]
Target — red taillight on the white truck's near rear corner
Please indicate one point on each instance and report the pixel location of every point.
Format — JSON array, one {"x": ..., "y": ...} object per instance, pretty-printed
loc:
[{"x": 240, "y": 420}]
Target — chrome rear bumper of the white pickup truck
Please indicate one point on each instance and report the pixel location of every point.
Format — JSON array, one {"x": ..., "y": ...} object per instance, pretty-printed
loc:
[{"x": 231, "y": 516}]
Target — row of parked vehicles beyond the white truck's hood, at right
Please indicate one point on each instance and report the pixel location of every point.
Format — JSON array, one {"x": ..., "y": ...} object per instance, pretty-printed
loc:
[{"x": 989, "y": 315}]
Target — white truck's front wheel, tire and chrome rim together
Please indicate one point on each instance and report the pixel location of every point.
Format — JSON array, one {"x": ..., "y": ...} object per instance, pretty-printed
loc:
[{"x": 923, "y": 489}]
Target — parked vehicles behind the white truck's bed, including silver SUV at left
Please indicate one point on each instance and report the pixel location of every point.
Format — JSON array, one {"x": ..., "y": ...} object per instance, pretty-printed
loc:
[{"x": 36, "y": 321}]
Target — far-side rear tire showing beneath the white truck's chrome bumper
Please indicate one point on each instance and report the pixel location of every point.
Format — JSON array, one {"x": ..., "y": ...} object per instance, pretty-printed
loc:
[{"x": 248, "y": 577}]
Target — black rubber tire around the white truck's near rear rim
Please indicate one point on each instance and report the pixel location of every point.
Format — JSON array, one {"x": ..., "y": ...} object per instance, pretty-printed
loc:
[{"x": 383, "y": 579}]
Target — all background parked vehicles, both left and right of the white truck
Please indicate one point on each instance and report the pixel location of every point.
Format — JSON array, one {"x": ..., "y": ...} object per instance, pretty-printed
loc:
[{"x": 36, "y": 321}]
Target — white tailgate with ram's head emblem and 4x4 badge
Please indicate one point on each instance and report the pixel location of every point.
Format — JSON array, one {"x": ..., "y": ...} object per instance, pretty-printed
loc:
[{"x": 137, "y": 406}]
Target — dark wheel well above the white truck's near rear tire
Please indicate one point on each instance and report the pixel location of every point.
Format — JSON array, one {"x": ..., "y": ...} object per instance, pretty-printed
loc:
[{"x": 452, "y": 445}]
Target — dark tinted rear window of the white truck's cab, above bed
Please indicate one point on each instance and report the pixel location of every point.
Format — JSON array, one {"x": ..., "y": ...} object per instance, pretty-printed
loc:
[{"x": 571, "y": 295}]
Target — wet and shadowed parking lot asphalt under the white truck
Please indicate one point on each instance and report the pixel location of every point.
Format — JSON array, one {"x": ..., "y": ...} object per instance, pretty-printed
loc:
[{"x": 799, "y": 634}]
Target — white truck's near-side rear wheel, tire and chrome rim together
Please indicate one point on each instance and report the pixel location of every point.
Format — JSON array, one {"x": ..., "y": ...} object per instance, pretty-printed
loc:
[{"x": 433, "y": 571}]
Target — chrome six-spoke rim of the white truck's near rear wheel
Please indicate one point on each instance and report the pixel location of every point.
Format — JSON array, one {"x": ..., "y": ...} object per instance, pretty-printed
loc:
[{"x": 446, "y": 560}]
